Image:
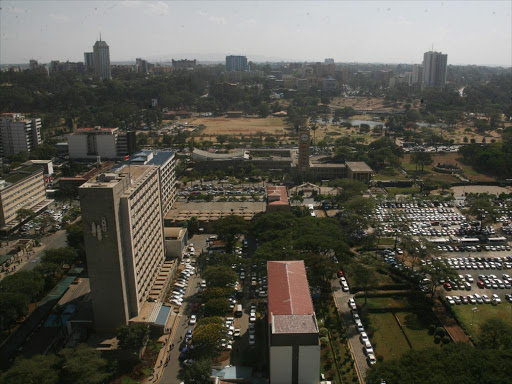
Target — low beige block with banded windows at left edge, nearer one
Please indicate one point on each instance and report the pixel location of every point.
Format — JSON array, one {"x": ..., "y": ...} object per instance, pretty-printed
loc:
[{"x": 22, "y": 187}]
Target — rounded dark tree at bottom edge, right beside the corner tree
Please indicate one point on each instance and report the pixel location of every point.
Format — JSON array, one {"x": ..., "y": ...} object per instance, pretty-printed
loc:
[{"x": 83, "y": 365}]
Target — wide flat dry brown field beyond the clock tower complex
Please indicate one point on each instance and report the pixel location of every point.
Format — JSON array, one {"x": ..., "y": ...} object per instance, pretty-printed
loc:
[{"x": 241, "y": 126}]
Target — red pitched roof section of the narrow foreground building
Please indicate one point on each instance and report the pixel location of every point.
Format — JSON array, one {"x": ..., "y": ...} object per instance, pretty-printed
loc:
[{"x": 288, "y": 289}]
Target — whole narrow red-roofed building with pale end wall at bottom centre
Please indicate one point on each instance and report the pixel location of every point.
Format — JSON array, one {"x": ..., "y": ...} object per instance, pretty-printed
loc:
[{"x": 294, "y": 348}]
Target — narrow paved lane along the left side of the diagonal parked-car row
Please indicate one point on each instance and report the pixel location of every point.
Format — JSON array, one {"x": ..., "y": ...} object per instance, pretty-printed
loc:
[{"x": 356, "y": 348}]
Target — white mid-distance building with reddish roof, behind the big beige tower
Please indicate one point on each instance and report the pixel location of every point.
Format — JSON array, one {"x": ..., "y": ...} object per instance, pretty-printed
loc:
[{"x": 107, "y": 143}]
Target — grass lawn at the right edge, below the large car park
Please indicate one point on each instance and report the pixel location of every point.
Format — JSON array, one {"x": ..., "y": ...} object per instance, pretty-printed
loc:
[{"x": 485, "y": 312}]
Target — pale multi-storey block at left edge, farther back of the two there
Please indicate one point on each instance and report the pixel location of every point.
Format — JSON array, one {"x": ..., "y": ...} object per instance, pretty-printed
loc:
[{"x": 18, "y": 134}]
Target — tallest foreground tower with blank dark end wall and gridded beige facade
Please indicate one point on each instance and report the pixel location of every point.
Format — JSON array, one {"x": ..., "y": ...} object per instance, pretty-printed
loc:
[{"x": 124, "y": 241}]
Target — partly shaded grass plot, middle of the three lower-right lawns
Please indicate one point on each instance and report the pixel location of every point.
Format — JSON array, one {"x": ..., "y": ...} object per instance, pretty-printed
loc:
[{"x": 415, "y": 326}]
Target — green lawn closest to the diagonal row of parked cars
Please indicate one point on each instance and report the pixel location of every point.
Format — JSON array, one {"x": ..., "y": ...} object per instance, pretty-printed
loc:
[{"x": 387, "y": 338}]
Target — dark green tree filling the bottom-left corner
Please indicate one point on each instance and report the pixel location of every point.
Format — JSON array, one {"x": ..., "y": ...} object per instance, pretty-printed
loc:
[{"x": 38, "y": 369}]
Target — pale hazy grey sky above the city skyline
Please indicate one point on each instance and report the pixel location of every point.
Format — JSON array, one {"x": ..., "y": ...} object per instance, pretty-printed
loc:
[{"x": 367, "y": 31}]
